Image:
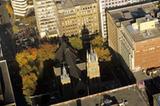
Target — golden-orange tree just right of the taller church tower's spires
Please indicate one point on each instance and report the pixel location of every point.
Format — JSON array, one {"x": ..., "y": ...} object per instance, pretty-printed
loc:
[{"x": 103, "y": 54}]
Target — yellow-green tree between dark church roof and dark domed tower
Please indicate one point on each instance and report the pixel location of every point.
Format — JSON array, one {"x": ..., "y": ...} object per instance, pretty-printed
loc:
[{"x": 76, "y": 42}]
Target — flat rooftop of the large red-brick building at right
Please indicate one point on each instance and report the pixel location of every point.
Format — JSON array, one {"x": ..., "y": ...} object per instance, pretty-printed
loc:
[{"x": 138, "y": 14}]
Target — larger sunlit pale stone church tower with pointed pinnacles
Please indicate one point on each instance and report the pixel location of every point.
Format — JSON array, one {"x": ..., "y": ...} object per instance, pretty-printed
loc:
[{"x": 93, "y": 70}]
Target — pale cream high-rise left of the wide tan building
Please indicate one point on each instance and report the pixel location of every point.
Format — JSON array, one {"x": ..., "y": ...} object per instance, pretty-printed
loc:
[{"x": 46, "y": 17}]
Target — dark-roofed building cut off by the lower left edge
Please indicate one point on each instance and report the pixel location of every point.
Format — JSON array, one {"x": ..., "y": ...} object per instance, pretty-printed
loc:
[{"x": 6, "y": 90}]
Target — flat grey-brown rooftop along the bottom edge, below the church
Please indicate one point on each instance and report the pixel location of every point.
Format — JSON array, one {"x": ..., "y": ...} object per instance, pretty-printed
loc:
[{"x": 129, "y": 93}]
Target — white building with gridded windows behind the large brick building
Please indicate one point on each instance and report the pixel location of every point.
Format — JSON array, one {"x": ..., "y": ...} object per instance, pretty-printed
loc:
[{"x": 104, "y": 4}]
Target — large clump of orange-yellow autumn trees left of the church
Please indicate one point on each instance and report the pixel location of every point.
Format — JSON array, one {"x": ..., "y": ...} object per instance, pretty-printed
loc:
[{"x": 31, "y": 64}]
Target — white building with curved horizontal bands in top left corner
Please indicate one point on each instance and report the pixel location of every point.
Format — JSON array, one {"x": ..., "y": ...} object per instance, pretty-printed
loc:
[{"x": 22, "y": 7}]
